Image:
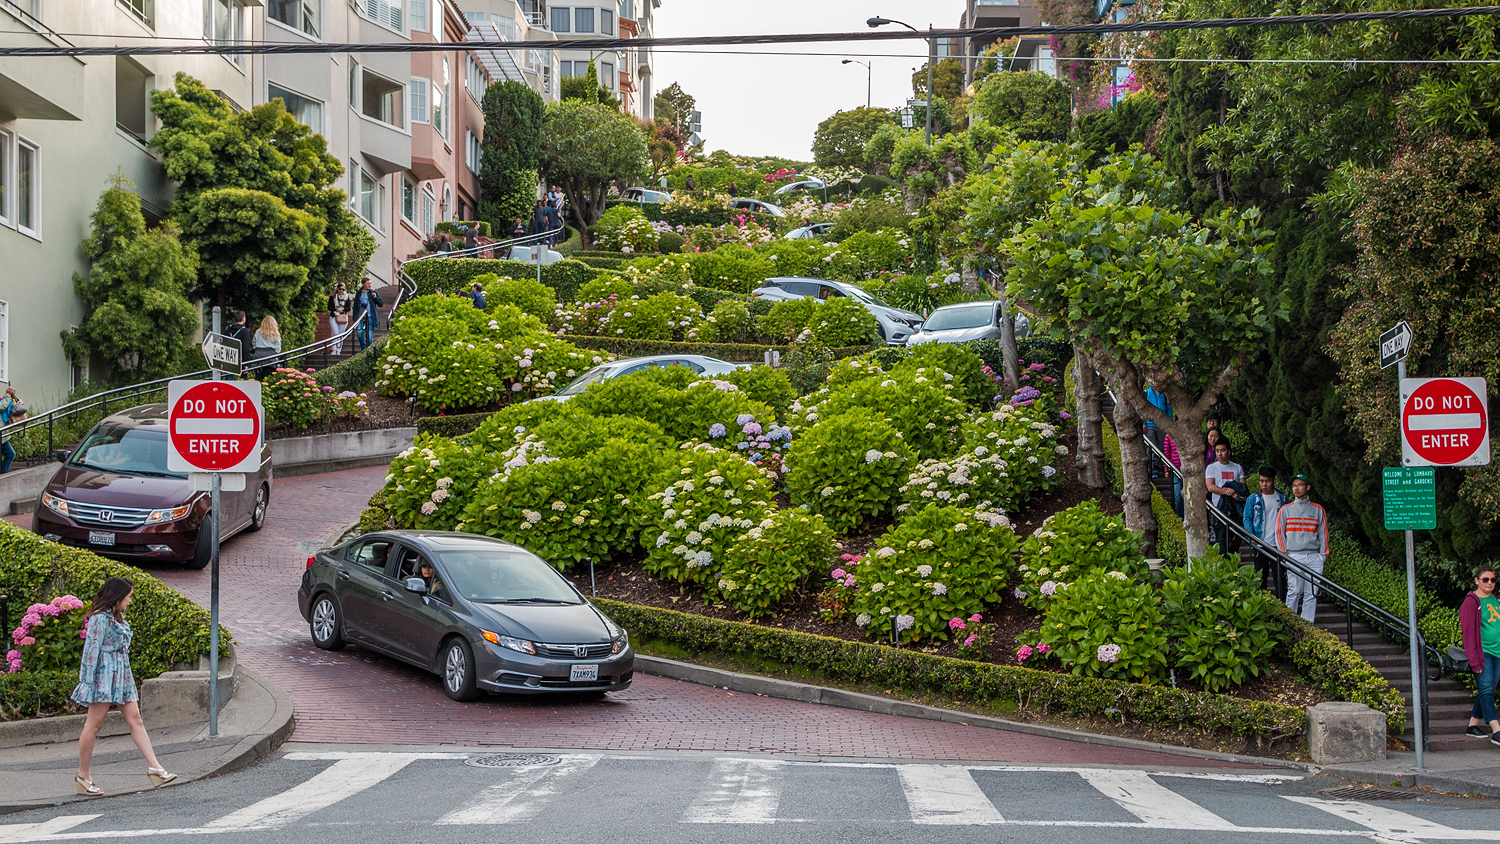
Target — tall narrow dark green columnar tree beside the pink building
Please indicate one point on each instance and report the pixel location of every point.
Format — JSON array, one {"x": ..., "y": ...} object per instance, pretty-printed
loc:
[{"x": 511, "y": 154}]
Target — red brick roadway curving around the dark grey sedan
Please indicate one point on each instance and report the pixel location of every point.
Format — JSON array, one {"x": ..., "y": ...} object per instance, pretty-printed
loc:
[{"x": 356, "y": 696}]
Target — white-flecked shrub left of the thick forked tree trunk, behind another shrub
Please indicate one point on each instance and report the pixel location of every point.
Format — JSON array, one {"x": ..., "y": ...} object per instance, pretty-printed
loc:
[{"x": 1073, "y": 545}]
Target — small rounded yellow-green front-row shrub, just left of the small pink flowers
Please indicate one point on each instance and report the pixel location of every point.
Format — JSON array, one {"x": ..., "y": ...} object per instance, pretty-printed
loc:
[{"x": 770, "y": 560}]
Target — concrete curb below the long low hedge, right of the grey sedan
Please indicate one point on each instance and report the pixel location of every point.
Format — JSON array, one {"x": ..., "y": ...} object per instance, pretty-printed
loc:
[{"x": 788, "y": 690}]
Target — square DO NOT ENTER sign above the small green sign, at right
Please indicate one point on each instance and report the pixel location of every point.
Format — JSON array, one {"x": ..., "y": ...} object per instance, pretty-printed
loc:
[{"x": 1445, "y": 422}]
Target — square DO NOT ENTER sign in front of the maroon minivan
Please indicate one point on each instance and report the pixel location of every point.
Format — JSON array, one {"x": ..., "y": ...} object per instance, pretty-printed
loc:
[{"x": 215, "y": 426}]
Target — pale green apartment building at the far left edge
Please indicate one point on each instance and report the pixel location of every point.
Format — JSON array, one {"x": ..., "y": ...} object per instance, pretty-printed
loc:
[{"x": 67, "y": 127}]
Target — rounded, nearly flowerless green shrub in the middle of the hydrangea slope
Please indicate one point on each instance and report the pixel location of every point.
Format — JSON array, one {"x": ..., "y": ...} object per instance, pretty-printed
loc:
[{"x": 847, "y": 468}]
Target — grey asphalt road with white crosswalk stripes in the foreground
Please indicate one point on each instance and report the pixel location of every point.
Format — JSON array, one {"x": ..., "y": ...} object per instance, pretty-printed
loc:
[{"x": 352, "y": 794}]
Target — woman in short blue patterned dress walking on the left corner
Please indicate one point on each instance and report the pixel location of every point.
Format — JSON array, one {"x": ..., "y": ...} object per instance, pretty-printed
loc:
[{"x": 106, "y": 680}]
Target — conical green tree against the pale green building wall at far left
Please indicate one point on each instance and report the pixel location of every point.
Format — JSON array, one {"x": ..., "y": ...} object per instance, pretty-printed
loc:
[{"x": 139, "y": 320}]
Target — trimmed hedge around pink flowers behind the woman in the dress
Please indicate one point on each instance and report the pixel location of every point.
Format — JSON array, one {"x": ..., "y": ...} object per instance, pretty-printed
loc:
[{"x": 169, "y": 627}]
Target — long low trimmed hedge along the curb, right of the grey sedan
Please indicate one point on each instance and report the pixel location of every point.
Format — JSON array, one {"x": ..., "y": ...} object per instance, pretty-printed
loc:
[{"x": 1033, "y": 692}]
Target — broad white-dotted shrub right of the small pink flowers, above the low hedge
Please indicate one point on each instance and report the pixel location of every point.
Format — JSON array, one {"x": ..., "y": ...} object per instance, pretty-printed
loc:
[{"x": 944, "y": 564}]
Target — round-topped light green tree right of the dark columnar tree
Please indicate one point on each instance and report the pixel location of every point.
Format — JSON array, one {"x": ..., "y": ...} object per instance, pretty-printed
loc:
[{"x": 589, "y": 148}]
